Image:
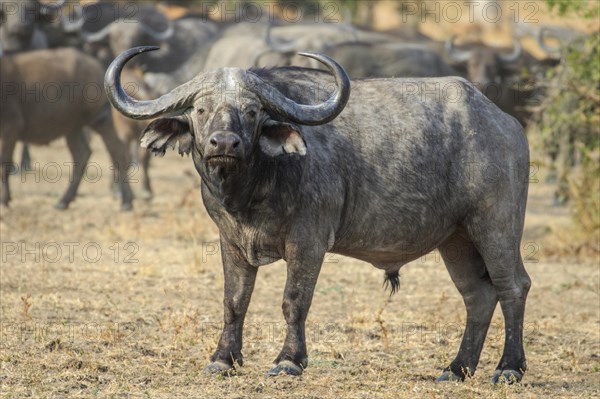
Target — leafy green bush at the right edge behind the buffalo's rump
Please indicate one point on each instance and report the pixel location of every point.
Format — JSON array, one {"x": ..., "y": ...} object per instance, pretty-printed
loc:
[{"x": 569, "y": 121}]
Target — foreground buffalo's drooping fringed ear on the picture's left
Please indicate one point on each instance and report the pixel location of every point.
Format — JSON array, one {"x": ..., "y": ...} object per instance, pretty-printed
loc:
[{"x": 165, "y": 132}]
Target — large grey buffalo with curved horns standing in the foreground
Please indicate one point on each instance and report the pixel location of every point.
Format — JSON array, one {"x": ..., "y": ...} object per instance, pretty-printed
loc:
[{"x": 401, "y": 168}]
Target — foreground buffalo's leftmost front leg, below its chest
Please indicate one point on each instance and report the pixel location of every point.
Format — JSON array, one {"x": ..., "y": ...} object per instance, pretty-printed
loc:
[{"x": 239, "y": 277}]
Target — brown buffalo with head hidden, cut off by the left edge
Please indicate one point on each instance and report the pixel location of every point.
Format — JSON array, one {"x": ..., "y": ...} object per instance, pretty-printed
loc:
[{"x": 47, "y": 94}]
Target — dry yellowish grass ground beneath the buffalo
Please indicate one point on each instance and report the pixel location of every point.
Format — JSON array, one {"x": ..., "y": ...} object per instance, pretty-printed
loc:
[{"x": 78, "y": 328}]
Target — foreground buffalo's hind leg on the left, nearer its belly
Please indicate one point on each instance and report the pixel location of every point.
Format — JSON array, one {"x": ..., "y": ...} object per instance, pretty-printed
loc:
[{"x": 467, "y": 270}]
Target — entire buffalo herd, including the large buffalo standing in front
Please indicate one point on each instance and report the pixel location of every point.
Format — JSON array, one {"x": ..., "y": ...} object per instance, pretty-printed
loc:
[{"x": 309, "y": 137}]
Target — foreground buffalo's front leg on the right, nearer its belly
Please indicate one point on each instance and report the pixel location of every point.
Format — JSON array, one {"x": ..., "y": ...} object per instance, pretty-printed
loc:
[{"x": 303, "y": 267}]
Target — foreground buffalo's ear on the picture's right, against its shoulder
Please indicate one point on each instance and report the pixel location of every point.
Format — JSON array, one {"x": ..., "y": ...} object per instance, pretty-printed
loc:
[{"x": 278, "y": 138}]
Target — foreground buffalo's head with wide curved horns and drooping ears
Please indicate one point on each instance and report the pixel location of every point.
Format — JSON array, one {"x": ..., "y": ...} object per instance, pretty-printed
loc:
[{"x": 227, "y": 116}]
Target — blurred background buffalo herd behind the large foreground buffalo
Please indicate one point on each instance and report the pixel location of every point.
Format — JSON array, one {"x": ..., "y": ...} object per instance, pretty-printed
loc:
[{"x": 193, "y": 42}]
